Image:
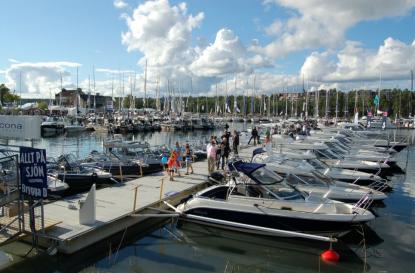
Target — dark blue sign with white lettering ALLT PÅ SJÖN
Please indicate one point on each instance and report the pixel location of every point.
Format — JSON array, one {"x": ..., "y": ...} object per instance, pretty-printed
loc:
[{"x": 33, "y": 173}]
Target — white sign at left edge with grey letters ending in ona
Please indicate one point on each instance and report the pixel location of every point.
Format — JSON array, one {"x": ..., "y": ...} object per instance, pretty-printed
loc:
[{"x": 20, "y": 127}]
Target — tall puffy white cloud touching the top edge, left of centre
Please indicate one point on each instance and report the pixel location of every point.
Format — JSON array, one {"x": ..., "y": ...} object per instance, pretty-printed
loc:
[{"x": 162, "y": 32}]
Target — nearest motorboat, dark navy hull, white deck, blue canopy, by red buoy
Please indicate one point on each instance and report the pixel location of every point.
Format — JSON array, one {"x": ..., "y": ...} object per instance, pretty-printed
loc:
[{"x": 258, "y": 201}]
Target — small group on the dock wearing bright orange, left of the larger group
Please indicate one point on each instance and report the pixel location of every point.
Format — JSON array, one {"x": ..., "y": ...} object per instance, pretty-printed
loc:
[{"x": 173, "y": 163}]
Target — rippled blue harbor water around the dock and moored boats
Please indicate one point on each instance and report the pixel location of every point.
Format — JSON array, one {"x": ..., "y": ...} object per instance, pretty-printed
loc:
[{"x": 387, "y": 244}]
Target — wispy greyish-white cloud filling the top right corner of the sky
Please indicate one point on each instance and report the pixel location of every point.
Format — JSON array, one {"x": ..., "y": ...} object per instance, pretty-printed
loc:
[{"x": 323, "y": 23}]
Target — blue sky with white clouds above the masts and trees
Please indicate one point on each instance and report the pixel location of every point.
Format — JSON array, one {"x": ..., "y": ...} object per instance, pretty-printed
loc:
[{"x": 197, "y": 47}]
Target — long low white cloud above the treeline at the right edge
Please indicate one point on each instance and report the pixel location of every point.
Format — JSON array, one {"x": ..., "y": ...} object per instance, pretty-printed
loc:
[{"x": 393, "y": 60}]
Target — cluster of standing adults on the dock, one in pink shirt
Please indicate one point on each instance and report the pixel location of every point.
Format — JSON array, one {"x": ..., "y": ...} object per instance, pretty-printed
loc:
[{"x": 218, "y": 150}]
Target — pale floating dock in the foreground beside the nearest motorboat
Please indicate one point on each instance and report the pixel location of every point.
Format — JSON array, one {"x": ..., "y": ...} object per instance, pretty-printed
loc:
[{"x": 117, "y": 208}]
